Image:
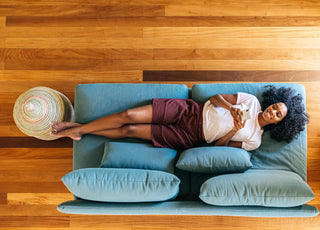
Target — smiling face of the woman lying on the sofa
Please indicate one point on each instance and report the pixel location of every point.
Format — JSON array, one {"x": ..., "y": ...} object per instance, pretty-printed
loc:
[{"x": 275, "y": 113}]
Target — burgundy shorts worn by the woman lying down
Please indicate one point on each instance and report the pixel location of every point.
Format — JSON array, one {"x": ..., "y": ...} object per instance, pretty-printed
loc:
[{"x": 177, "y": 123}]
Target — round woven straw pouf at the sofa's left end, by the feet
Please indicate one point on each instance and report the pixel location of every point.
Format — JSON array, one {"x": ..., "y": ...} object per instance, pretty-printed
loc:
[{"x": 35, "y": 108}]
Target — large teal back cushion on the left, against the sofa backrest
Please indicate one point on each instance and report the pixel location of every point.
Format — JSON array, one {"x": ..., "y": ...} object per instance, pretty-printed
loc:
[{"x": 122, "y": 185}]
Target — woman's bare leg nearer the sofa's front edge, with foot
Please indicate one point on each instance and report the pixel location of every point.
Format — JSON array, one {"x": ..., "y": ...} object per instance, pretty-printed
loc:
[{"x": 140, "y": 115}]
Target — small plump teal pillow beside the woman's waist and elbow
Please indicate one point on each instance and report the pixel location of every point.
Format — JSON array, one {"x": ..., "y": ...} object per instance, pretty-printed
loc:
[{"x": 214, "y": 159}]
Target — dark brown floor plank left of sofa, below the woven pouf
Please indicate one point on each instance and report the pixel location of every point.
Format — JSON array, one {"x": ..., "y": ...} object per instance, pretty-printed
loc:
[{"x": 31, "y": 142}]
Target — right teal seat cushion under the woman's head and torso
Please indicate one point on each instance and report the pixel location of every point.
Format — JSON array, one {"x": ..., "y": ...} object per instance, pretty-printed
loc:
[{"x": 271, "y": 154}]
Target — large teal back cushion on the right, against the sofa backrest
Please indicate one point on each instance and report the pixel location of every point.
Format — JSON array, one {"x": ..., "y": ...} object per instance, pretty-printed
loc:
[{"x": 271, "y": 188}]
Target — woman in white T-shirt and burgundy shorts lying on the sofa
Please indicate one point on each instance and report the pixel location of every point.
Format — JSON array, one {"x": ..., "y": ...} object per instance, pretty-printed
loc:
[{"x": 184, "y": 123}]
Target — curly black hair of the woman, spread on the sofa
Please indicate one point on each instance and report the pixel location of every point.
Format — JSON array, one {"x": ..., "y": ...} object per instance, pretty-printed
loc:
[{"x": 295, "y": 120}]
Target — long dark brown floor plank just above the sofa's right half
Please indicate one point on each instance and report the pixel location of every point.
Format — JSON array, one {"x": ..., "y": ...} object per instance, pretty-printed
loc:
[{"x": 256, "y": 76}]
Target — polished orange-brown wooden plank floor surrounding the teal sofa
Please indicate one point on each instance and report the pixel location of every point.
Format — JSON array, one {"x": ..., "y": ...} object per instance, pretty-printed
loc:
[{"x": 61, "y": 44}]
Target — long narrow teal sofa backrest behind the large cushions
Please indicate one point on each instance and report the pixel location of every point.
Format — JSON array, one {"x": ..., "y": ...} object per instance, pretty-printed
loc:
[{"x": 193, "y": 208}]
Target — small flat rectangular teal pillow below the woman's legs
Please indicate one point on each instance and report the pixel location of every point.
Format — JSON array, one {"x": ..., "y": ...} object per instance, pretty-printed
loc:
[{"x": 138, "y": 156}]
